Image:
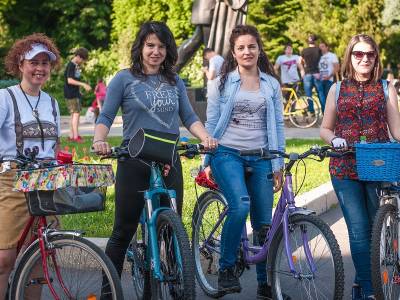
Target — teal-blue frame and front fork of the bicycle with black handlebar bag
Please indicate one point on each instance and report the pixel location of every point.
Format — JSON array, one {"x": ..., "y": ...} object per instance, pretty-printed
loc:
[{"x": 150, "y": 215}]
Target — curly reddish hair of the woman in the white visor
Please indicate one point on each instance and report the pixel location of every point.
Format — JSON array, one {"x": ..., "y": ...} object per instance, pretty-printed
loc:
[{"x": 21, "y": 46}]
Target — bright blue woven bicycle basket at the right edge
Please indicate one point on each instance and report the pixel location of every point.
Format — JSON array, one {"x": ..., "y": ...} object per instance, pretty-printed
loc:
[{"x": 378, "y": 161}]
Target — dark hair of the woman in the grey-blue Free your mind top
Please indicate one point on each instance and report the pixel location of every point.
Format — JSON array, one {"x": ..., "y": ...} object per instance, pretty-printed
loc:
[{"x": 166, "y": 37}]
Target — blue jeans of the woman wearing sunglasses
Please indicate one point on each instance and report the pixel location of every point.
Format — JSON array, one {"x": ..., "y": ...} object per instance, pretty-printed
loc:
[{"x": 359, "y": 203}]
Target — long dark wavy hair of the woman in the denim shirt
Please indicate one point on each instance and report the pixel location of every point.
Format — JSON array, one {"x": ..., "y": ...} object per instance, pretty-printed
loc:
[{"x": 230, "y": 63}]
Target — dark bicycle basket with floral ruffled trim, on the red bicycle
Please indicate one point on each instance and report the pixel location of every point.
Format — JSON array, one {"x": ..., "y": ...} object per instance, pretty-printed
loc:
[{"x": 65, "y": 189}]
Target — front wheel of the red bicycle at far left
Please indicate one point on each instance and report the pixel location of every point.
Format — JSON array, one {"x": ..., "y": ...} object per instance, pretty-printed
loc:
[{"x": 82, "y": 278}]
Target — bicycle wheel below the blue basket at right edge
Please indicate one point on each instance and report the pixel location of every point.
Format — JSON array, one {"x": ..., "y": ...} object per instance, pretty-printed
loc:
[{"x": 385, "y": 265}]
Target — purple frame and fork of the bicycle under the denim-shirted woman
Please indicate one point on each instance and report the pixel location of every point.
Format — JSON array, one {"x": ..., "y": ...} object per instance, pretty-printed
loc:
[{"x": 285, "y": 208}]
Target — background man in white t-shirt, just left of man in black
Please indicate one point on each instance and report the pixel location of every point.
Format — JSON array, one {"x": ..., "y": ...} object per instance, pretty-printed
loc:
[{"x": 290, "y": 65}]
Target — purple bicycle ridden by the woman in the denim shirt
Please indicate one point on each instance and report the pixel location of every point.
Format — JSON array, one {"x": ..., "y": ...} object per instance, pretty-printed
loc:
[{"x": 303, "y": 257}]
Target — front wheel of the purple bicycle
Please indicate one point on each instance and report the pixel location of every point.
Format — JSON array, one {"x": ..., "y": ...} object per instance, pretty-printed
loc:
[{"x": 284, "y": 283}]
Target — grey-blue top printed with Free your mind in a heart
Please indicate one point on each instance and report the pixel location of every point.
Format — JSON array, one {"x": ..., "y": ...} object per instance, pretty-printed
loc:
[{"x": 150, "y": 103}]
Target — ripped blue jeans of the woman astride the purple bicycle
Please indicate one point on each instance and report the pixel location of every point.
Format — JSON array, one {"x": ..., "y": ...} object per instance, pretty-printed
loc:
[{"x": 253, "y": 193}]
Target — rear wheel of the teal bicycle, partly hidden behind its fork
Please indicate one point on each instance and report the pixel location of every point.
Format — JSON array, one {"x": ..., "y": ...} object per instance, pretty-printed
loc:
[{"x": 136, "y": 257}]
